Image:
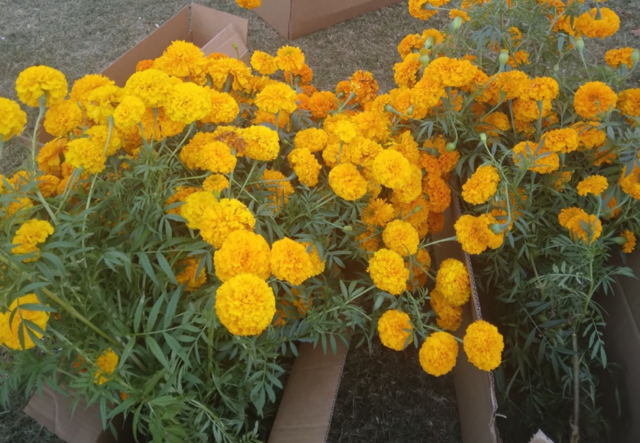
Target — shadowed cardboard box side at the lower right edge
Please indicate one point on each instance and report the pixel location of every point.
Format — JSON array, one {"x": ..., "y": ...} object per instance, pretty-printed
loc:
[{"x": 622, "y": 343}]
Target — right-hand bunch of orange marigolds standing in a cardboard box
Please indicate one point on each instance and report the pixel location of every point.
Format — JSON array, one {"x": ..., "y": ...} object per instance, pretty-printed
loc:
[{"x": 549, "y": 175}]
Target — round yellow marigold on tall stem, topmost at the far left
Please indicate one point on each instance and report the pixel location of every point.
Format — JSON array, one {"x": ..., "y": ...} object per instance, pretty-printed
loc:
[{"x": 34, "y": 82}]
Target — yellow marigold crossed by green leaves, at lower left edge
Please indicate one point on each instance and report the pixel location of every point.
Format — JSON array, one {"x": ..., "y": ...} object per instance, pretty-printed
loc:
[{"x": 10, "y": 330}]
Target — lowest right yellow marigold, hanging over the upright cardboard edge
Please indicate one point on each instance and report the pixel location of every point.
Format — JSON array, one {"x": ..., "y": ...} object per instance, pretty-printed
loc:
[{"x": 483, "y": 345}]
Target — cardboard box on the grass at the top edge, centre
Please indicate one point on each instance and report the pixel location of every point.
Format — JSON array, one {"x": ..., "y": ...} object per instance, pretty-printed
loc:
[{"x": 295, "y": 18}]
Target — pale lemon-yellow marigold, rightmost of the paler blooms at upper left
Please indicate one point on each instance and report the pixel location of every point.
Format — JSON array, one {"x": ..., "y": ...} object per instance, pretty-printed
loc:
[{"x": 187, "y": 102}]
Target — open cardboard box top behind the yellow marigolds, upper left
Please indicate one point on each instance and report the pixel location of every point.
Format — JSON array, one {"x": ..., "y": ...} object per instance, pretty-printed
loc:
[{"x": 204, "y": 26}]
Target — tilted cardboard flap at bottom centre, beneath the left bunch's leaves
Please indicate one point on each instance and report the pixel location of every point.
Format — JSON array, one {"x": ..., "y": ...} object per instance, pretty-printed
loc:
[{"x": 304, "y": 415}]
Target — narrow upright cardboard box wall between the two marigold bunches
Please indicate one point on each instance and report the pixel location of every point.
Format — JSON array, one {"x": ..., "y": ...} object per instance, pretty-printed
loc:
[{"x": 474, "y": 388}]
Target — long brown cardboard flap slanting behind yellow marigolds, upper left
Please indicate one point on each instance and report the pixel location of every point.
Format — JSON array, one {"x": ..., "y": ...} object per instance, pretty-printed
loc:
[{"x": 176, "y": 28}]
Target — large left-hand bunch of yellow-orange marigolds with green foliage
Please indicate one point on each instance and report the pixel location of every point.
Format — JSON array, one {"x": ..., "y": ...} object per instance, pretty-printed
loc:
[{"x": 165, "y": 252}]
